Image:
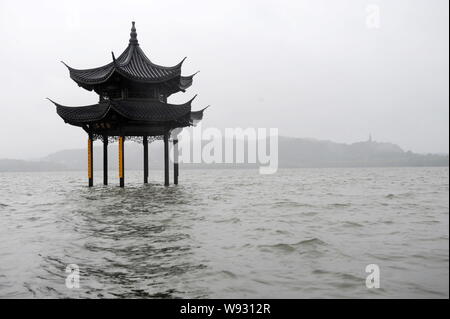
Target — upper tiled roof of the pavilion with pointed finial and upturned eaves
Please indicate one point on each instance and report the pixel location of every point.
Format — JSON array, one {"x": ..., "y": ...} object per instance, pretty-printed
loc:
[{"x": 132, "y": 64}]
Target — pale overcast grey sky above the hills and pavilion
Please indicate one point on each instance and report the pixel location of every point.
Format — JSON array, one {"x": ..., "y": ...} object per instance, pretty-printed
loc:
[{"x": 311, "y": 68}]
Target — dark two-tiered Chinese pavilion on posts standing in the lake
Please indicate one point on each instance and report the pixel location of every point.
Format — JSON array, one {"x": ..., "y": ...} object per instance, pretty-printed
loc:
[{"x": 133, "y": 93}]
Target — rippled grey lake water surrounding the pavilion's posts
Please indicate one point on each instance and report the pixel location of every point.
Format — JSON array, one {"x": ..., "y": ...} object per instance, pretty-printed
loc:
[{"x": 300, "y": 233}]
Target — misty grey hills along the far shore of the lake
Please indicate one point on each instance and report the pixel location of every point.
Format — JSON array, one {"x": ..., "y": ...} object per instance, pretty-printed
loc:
[{"x": 293, "y": 152}]
